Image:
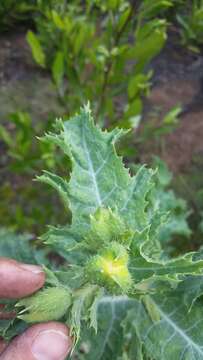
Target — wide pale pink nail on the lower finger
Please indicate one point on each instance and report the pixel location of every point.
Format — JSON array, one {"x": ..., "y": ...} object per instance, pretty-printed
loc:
[{"x": 51, "y": 345}]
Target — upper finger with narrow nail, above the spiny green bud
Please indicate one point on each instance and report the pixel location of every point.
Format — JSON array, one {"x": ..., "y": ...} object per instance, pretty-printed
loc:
[{"x": 18, "y": 280}]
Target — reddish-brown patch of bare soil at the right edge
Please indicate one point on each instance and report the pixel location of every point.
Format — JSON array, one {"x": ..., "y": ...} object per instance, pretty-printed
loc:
[{"x": 186, "y": 141}]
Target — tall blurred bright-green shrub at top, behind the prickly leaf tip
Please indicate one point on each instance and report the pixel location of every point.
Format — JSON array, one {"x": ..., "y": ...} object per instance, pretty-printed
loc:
[{"x": 100, "y": 51}]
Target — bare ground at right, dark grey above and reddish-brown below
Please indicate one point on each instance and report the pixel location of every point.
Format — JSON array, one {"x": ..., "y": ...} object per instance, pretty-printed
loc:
[{"x": 178, "y": 80}]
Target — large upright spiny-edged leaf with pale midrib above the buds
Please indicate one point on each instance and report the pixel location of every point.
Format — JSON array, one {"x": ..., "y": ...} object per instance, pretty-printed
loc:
[{"x": 99, "y": 178}]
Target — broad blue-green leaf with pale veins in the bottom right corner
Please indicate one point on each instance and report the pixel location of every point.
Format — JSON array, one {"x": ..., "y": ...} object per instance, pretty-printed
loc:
[{"x": 174, "y": 333}]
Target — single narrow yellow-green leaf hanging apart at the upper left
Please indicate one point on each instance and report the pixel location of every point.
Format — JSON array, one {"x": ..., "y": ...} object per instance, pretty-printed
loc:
[{"x": 36, "y": 48}]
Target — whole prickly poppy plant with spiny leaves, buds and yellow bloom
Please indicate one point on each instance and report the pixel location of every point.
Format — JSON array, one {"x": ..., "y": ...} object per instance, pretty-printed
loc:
[{"x": 121, "y": 295}]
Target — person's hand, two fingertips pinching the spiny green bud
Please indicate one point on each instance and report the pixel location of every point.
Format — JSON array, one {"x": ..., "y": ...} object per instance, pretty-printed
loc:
[{"x": 45, "y": 341}]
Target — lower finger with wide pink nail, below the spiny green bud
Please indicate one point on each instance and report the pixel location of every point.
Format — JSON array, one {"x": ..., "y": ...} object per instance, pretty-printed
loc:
[{"x": 47, "y": 341}]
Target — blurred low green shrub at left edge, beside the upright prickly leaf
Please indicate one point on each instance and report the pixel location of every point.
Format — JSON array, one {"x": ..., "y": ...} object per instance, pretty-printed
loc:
[{"x": 23, "y": 157}]
